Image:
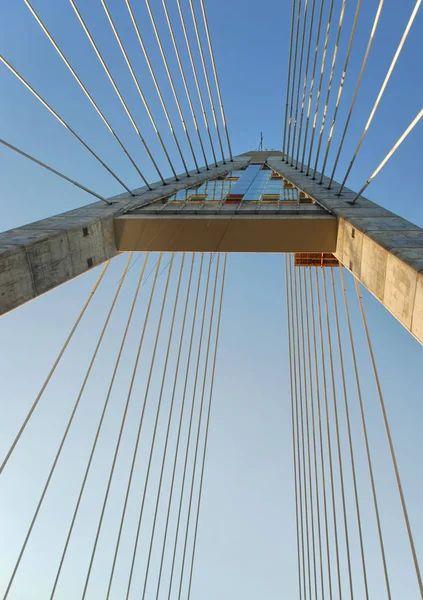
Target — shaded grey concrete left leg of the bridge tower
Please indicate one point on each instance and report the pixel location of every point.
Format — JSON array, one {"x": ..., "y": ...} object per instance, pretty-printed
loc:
[{"x": 37, "y": 257}]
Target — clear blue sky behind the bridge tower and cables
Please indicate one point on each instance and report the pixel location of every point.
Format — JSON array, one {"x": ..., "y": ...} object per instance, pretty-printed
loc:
[{"x": 246, "y": 544}]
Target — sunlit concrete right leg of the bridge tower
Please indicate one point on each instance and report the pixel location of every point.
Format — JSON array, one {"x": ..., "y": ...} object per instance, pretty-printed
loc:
[{"x": 382, "y": 250}]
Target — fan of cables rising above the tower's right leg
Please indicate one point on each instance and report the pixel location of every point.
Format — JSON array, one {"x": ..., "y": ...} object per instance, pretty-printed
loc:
[{"x": 308, "y": 103}]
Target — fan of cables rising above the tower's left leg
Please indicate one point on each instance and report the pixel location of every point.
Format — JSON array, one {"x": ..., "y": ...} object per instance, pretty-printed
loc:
[{"x": 212, "y": 139}]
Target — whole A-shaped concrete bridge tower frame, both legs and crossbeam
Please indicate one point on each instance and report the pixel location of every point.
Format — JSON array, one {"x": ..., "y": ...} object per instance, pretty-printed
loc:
[{"x": 382, "y": 250}]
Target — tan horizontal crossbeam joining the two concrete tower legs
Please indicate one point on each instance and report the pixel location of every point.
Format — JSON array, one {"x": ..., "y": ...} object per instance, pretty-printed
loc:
[{"x": 288, "y": 233}]
